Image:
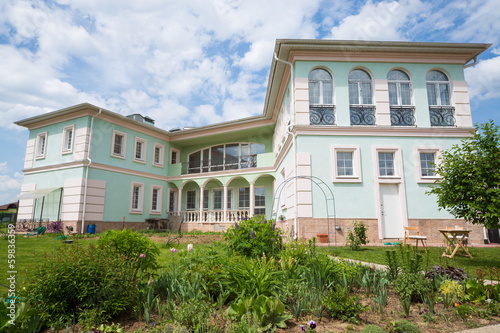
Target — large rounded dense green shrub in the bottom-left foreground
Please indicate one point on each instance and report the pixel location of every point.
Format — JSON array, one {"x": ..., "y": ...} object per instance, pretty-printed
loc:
[{"x": 87, "y": 283}]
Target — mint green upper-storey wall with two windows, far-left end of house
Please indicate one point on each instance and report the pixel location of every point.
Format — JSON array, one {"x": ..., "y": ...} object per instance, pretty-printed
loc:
[{"x": 53, "y": 153}]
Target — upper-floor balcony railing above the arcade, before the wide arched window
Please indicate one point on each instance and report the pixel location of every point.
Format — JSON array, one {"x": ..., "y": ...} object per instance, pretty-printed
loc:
[{"x": 243, "y": 162}]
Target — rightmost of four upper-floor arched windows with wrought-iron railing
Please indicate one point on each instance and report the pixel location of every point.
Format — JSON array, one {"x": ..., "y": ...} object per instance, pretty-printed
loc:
[{"x": 438, "y": 95}]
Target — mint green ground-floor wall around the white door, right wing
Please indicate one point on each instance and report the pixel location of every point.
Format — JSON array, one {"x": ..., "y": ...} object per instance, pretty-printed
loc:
[{"x": 357, "y": 200}]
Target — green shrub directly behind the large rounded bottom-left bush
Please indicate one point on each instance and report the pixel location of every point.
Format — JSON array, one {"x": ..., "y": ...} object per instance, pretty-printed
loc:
[{"x": 139, "y": 250}]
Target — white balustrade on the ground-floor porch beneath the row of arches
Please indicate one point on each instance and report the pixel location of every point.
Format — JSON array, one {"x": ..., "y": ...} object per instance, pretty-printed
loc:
[{"x": 212, "y": 216}]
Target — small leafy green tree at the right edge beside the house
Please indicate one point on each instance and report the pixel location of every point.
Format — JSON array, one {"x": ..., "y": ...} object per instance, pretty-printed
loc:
[{"x": 470, "y": 183}]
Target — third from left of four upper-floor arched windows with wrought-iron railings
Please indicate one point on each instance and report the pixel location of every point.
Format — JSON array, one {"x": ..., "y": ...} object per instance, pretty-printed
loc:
[{"x": 402, "y": 112}]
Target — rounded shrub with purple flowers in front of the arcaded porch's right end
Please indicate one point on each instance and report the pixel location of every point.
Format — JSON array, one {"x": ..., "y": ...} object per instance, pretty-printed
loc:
[{"x": 254, "y": 237}]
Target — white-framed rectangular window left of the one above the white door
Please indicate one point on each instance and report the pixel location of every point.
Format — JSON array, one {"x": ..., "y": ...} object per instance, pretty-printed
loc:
[{"x": 346, "y": 164}]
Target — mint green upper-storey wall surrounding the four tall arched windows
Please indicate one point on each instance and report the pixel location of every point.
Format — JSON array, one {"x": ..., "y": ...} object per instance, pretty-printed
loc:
[{"x": 417, "y": 72}]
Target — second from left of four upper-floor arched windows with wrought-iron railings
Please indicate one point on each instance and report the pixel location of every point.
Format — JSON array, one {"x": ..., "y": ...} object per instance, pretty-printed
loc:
[{"x": 362, "y": 110}]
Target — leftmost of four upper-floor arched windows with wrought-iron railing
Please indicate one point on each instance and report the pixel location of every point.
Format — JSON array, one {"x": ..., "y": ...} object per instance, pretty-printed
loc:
[{"x": 321, "y": 98}]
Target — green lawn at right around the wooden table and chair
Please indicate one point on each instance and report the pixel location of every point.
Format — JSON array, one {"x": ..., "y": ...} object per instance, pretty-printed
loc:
[{"x": 482, "y": 257}]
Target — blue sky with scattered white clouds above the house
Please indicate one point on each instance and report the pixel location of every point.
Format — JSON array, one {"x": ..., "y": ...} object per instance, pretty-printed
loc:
[{"x": 199, "y": 62}]
